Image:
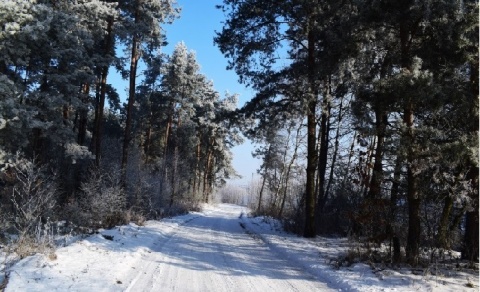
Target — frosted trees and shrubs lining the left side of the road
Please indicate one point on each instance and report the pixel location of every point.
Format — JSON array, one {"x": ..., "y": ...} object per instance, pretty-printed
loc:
[{"x": 71, "y": 149}]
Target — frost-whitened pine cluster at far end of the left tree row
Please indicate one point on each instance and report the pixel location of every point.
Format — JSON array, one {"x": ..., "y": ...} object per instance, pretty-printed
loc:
[{"x": 183, "y": 126}]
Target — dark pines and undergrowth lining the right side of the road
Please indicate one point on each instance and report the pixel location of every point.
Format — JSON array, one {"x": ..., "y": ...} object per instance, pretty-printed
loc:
[{"x": 367, "y": 113}]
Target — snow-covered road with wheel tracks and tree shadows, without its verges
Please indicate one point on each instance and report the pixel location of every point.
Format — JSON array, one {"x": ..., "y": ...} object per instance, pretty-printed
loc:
[{"x": 214, "y": 253}]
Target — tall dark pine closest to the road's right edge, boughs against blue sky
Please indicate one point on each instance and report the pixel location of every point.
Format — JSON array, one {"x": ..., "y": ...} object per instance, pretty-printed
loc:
[{"x": 288, "y": 51}]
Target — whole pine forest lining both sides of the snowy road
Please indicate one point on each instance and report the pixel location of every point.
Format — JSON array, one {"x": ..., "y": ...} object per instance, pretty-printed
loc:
[{"x": 365, "y": 115}]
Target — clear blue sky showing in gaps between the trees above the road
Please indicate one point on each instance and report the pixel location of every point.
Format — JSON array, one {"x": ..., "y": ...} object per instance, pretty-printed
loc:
[{"x": 196, "y": 27}]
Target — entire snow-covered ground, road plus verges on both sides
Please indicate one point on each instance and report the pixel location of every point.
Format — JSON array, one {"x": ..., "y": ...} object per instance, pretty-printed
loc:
[{"x": 219, "y": 249}]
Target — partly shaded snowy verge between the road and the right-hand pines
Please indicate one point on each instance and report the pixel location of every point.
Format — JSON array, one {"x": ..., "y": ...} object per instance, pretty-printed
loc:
[{"x": 318, "y": 255}]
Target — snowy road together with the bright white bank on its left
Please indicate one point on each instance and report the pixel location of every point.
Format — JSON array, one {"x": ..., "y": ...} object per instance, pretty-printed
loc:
[{"x": 210, "y": 251}]
